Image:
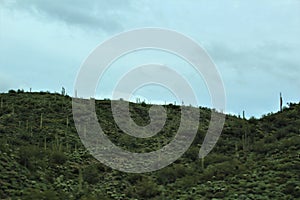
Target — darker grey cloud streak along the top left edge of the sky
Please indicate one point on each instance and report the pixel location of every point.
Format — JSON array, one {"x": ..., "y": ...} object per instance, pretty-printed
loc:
[{"x": 104, "y": 15}]
